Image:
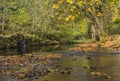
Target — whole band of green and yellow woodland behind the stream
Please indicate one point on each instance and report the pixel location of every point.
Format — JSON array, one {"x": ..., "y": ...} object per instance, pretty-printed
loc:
[{"x": 60, "y": 20}]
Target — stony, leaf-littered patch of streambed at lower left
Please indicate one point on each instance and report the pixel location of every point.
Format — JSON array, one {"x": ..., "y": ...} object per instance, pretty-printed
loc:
[{"x": 27, "y": 67}]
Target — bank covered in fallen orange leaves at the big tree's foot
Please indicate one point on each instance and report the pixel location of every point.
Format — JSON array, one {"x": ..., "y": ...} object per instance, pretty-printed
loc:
[{"x": 111, "y": 43}]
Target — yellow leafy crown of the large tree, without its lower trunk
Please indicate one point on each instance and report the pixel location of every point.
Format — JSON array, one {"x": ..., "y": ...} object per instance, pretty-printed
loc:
[{"x": 91, "y": 8}]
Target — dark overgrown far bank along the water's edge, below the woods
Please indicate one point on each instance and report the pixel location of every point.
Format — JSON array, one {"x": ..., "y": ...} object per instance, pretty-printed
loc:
[{"x": 11, "y": 41}]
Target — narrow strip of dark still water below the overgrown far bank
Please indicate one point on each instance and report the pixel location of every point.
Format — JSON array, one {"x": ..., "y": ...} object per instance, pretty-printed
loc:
[{"x": 36, "y": 49}]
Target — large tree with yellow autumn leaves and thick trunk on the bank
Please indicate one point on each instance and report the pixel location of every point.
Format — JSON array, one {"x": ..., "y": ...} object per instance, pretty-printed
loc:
[{"x": 99, "y": 13}]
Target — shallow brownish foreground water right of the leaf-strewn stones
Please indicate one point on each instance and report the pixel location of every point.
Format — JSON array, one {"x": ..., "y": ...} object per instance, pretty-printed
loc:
[{"x": 106, "y": 64}]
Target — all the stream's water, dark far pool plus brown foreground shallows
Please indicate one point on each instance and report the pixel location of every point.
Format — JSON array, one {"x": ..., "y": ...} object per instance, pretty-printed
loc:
[{"x": 81, "y": 68}]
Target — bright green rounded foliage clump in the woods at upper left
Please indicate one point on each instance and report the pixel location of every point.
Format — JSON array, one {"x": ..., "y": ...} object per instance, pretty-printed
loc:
[{"x": 19, "y": 20}]
